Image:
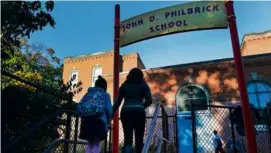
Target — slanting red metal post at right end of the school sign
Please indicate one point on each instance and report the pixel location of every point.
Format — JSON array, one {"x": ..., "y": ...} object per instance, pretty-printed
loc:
[{"x": 247, "y": 115}]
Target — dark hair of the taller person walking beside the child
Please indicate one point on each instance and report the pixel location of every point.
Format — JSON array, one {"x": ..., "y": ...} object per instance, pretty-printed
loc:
[{"x": 135, "y": 76}]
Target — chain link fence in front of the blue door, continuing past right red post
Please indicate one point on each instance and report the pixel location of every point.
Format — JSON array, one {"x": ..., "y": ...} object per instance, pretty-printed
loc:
[{"x": 205, "y": 121}]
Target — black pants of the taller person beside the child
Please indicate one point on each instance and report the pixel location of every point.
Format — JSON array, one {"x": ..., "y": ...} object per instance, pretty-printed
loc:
[{"x": 133, "y": 119}]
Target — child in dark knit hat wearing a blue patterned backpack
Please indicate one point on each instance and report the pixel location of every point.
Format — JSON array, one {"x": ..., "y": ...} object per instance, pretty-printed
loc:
[{"x": 95, "y": 110}]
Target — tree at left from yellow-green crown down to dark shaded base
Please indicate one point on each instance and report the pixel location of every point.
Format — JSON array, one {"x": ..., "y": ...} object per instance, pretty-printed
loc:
[{"x": 23, "y": 105}]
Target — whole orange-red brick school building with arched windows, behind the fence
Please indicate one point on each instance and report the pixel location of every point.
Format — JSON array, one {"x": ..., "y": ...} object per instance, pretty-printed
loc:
[{"x": 213, "y": 82}]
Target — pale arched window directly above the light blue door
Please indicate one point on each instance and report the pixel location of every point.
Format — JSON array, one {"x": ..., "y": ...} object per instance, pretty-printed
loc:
[{"x": 191, "y": 93}]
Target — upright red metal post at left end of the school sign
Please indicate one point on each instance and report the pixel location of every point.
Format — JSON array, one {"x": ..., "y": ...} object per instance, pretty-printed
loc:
[{"x": 115, "y": 140}]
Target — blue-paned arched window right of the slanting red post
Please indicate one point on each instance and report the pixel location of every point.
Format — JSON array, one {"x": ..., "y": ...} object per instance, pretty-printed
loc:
[{"x": 259, "y": 93}]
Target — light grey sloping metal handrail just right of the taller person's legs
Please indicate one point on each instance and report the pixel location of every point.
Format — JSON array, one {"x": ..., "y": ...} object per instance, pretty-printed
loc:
[{"x": 152, "y": 127}]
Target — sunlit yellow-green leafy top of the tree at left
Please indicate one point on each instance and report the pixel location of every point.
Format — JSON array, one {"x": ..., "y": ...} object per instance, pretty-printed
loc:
[{"x": 35, "y": 63}]
